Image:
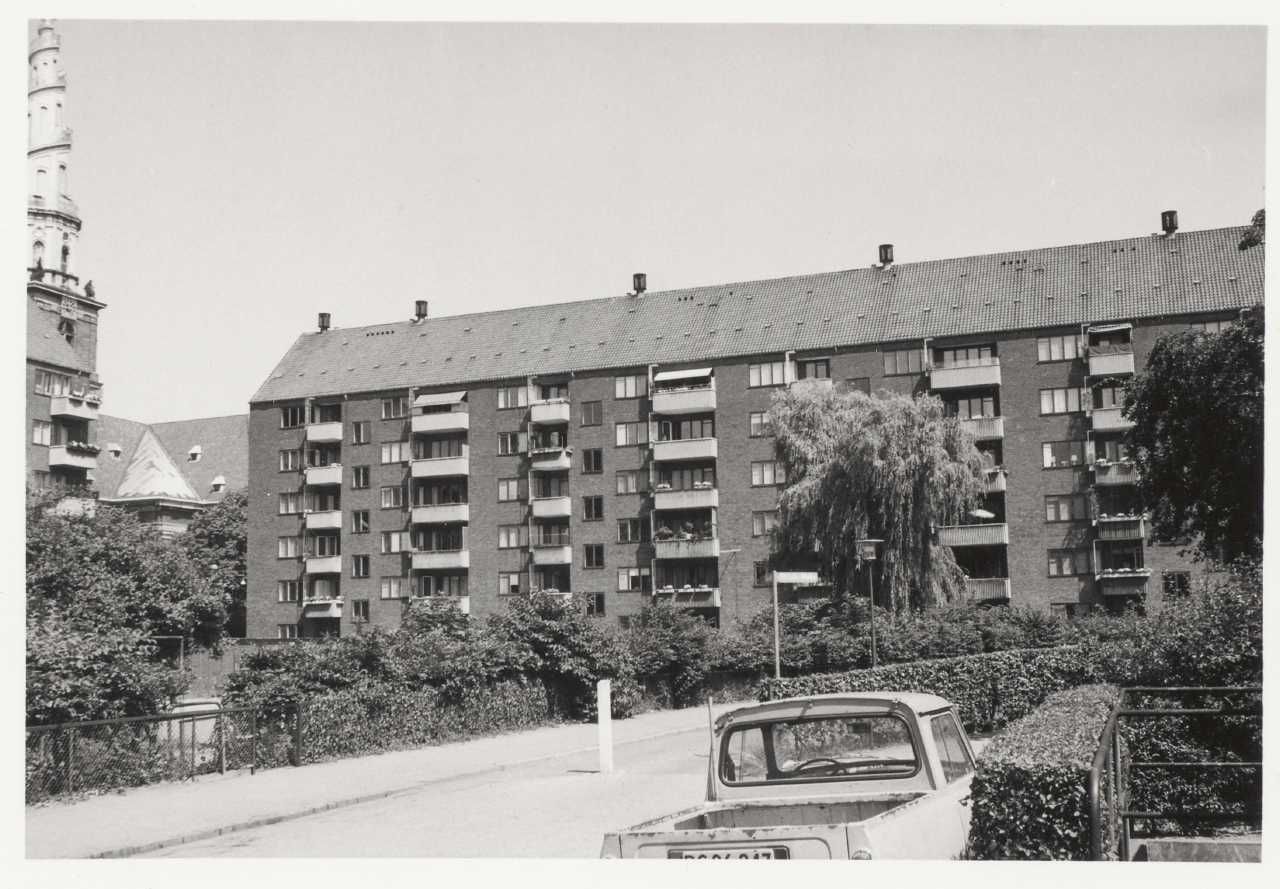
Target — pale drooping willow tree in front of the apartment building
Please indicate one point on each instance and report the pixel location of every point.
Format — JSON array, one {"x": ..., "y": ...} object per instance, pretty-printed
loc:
[{"x": 890, "y": 468}]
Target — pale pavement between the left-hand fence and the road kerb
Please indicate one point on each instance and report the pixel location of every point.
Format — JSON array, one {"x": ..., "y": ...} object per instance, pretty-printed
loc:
[{"x": 163, "y": 815}]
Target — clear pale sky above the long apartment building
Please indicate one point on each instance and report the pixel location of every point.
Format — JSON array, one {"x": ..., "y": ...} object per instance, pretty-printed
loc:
[{"x": 237, "y": 178}]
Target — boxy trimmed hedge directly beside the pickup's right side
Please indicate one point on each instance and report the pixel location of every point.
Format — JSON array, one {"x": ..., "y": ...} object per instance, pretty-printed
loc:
[{"x": 1031, "y": 792}]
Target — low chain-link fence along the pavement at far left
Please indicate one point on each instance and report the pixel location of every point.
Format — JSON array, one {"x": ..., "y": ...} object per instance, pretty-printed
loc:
[{"x": 111, "y": 754}]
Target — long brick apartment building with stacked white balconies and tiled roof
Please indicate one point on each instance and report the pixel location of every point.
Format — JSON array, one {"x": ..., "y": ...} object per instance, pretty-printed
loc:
[{"x": 618, "y": 448}]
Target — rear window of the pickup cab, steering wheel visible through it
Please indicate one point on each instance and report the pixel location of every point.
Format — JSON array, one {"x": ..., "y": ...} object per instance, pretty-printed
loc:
[{"x": 861, "y": 746}]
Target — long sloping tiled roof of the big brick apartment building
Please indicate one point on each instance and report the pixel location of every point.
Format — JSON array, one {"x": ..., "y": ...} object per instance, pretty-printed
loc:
[{"x": 1136, "y": 278}]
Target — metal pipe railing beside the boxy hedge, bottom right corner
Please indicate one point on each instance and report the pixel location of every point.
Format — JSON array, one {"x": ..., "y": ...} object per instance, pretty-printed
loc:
[{"x": 1112, "y": 813}]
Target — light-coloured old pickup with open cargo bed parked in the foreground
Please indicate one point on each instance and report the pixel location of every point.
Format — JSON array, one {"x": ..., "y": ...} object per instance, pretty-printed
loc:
[{"x": 876, "y": 776}]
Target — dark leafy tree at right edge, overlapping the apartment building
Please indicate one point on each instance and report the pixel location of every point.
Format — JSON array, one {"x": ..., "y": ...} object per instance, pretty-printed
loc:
[{"x": 1197, "y": 438}]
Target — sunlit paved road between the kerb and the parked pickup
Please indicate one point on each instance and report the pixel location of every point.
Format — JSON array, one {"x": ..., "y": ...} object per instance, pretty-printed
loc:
[{"x": 556, "y": 809}]
